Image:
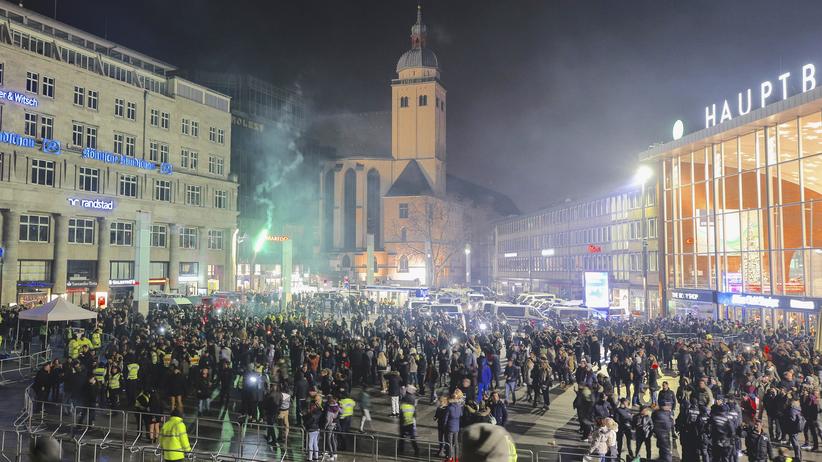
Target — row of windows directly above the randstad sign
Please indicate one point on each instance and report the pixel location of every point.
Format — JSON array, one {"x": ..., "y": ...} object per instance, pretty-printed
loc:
[{"x": 88, "y": 179}]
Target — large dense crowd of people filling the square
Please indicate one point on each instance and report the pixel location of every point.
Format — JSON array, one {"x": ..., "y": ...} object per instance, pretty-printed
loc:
[{"x": 308, "y": 366}]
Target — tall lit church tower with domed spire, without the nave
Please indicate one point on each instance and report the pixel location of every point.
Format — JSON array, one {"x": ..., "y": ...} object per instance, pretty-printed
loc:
[{"x": 418, "y": 111}]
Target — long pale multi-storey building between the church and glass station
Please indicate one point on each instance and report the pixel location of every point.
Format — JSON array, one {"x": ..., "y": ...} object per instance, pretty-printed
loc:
[{"x": 551, "y": 249}]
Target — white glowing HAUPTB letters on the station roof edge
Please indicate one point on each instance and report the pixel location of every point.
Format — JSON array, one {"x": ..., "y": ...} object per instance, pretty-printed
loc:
[{"x": 746, "y": 99}]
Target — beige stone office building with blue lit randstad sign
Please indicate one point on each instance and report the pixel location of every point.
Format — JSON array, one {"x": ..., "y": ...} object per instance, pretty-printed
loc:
[{"x": 101, "y": 135}]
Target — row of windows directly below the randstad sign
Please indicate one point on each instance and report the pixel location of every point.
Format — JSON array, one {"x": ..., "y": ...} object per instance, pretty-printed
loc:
[{"x": 36, "y": 228}]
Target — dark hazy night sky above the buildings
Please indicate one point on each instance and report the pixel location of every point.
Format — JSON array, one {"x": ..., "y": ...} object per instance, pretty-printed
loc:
[{"x": 547, "y": 99}]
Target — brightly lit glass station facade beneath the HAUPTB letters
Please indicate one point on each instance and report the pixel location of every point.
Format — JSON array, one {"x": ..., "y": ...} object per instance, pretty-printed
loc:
[{"x": 743, "y": 216}]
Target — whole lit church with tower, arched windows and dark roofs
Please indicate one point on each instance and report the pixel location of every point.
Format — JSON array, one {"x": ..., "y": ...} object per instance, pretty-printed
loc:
[{"x": 423, "y": 222}]
